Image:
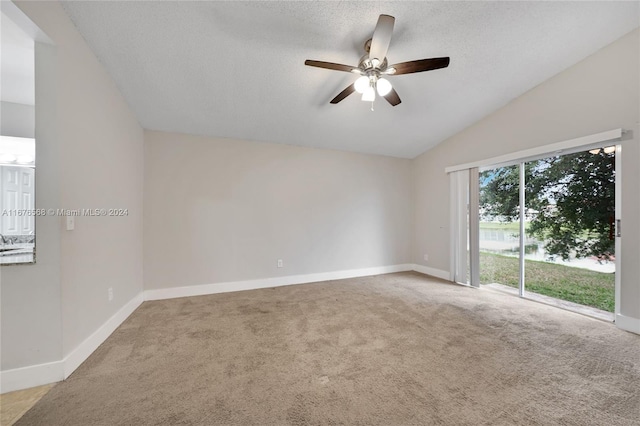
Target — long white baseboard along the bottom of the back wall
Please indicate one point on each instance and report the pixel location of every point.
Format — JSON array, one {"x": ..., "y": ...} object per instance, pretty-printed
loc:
[{"x": 225, "y": 287}]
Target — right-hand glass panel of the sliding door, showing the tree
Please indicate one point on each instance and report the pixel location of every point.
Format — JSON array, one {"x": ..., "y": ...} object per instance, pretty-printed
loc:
[{"x": 571, "y": 219}]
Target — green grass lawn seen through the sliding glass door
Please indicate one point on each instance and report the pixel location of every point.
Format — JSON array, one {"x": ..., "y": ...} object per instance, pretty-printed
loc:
[{"x": 576, "y": 285}]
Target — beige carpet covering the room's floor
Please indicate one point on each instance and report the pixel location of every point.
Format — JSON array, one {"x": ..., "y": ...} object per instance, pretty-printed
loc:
[{"x": 392, "y": 350}]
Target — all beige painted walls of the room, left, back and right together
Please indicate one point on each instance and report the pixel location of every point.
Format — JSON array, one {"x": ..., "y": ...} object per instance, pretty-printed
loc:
[{"x": 219, "y": 210}]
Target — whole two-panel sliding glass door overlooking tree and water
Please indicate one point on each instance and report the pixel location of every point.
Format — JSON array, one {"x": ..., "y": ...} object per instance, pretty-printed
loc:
[{"x": 547, "y": 226}]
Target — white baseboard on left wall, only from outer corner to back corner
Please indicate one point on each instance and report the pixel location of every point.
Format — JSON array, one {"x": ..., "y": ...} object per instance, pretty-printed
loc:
[{"x": 91, "y": 343}]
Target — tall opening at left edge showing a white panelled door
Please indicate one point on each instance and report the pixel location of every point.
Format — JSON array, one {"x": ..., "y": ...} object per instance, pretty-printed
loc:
[{"x": 17, "y": 141}]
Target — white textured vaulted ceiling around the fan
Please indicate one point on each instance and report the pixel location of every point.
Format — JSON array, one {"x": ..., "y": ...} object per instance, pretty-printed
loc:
[{"x": 236, "y": 69}]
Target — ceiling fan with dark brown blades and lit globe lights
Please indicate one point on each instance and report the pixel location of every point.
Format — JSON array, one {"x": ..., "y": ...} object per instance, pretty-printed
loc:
[{"x": 373, "y": 66}]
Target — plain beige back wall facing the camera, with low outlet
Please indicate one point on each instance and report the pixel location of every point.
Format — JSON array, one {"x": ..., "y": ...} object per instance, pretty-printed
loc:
[{"x": 220, "y": 210}]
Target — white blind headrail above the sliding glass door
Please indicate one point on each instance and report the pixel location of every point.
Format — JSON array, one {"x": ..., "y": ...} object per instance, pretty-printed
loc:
[{"x": 542, "y": 151}]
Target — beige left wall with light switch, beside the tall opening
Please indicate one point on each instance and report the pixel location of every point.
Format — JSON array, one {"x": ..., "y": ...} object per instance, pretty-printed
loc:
[{"x": 89, "y": 155}]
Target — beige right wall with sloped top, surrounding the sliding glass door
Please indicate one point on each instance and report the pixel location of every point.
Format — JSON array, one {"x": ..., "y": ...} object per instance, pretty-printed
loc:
[{"x": 600, "y": 93}]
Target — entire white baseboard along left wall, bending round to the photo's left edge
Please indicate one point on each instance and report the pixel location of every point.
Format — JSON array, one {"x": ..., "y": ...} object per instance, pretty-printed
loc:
[{"x": 42, "y": 374}]
